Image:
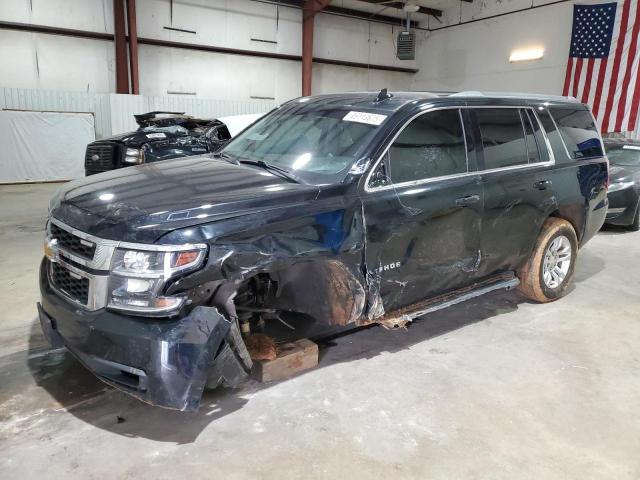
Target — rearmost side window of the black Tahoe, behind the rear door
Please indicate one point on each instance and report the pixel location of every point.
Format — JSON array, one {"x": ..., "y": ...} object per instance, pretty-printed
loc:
[{"x": 578, "y": 131}]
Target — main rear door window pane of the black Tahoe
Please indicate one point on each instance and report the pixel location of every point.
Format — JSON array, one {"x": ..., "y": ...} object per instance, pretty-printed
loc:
[{"x": 503, "y": 139}]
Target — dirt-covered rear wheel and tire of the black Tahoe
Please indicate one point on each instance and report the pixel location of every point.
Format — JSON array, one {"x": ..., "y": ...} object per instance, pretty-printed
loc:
[{"x": 548, "y": 284}]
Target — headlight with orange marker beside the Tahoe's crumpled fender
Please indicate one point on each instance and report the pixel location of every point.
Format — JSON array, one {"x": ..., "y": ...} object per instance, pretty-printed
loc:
[{"x": 138, "y": 278}]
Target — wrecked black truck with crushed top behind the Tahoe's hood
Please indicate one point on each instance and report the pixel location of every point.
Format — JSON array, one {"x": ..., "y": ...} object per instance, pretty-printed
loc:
[{"x": 160, "y": 136}]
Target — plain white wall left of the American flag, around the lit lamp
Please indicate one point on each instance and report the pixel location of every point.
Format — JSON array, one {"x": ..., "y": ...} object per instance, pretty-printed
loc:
[{"x": 475, "y": 56}]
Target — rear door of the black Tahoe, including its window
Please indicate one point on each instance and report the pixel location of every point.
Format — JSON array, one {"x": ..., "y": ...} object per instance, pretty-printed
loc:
[{"x": 518, "y": 186}]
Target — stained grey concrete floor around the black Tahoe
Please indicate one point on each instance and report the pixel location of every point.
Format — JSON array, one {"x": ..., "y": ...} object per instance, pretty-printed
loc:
[{"x": 494, "y": 388}]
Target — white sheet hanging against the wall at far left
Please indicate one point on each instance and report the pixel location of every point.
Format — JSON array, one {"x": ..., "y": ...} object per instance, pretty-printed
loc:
[{"x": 43, "y": 146}]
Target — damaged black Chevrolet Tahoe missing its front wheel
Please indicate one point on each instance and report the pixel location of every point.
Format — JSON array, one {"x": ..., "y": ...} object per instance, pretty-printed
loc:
[{"x": 332, "y": 211}]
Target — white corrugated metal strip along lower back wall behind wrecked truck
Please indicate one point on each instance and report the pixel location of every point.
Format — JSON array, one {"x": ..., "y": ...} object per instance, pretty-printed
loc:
[{"x": 114, "y": 113}]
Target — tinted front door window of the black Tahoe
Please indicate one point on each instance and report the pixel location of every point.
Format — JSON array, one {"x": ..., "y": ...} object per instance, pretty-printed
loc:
[{"x": 431, "y": 146}]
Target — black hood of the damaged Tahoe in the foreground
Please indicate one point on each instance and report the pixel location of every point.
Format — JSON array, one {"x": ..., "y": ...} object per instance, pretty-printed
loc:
[{"x": 142, "y": 203}]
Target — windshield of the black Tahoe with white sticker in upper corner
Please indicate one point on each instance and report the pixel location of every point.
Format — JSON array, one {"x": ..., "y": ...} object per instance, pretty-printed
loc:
[{"x": 317, "y": 145}]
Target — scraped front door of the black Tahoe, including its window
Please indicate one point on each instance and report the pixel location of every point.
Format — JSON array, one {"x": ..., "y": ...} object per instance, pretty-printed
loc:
[{"x": 423, "y": 207}]
